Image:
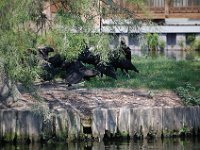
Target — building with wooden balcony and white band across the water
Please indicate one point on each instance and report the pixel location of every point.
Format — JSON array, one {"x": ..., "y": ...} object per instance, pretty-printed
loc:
[{"x": 175, "y": 21}]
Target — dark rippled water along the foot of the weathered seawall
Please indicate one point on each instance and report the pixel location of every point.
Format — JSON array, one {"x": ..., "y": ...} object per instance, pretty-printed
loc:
[{"x": 166, "y": 144}]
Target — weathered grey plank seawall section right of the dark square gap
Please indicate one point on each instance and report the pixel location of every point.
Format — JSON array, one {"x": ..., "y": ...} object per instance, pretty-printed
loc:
[{"x": 148, "y": 121}]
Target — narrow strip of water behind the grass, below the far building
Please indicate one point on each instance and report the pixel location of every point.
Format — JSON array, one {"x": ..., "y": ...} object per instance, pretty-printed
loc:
[{"x": 172, "y": 54}]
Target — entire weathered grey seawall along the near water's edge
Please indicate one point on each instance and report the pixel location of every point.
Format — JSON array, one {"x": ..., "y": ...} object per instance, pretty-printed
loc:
[{"x": 66, "y": 124}]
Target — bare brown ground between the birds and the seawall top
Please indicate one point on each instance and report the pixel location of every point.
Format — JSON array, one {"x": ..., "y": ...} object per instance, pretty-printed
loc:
[{"x": 84, "y": 100}]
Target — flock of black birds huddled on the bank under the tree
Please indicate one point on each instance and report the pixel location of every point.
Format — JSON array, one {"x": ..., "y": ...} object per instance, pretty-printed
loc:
[{"x": 77, "y": 71}]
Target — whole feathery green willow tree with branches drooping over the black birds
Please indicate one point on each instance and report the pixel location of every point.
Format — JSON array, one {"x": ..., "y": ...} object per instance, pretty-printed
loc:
[{"x": 22, "y": 23}]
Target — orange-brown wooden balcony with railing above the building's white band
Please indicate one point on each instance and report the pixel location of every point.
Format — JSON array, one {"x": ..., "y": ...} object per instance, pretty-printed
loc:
[{"x": 156, "y": 9}]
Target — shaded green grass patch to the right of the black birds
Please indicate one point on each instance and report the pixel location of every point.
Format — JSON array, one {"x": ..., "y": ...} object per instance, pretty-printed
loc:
[{"x": 156, "y": 73}]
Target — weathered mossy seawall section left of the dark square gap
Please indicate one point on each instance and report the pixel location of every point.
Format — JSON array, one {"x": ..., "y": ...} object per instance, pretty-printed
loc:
[{"x": 26, "y": 126}]
